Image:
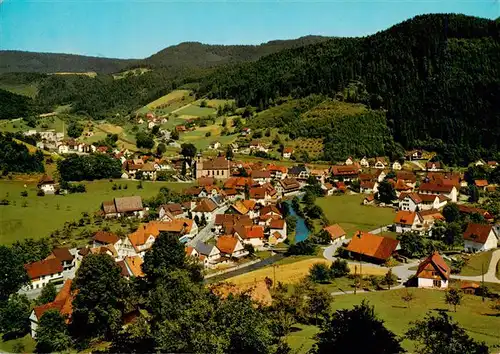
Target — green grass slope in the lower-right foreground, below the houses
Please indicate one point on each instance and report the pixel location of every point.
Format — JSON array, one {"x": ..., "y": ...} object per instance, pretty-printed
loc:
[{"x": 474, "y": 315}]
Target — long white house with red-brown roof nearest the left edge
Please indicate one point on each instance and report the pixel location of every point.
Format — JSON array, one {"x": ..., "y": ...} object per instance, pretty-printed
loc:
[{"x": 43, "y": 272}]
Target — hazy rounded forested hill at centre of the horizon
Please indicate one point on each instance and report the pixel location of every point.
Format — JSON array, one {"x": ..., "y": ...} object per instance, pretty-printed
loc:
[{"x": 195, "y": 54}]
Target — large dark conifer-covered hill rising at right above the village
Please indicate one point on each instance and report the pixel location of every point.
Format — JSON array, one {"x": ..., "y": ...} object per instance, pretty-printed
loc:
[{"x": 437, "y": 75}]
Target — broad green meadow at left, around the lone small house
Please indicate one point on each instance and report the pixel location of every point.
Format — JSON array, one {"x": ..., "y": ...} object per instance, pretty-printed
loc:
[{"x": 42, "y": 215}]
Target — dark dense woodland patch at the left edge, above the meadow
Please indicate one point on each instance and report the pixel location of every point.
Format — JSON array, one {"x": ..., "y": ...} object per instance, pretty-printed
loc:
[{"x": 15, "y": 157}]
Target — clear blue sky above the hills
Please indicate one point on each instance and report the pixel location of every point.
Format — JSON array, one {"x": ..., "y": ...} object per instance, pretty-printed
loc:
[{"x": 140, "y": 28}]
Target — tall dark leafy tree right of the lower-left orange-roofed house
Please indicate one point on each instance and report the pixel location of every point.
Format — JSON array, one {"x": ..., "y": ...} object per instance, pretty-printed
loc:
[{"x": 98, "y": 305}]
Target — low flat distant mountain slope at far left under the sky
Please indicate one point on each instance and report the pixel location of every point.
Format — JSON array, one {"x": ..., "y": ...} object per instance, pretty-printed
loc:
[{"x": 18, "y": 61}]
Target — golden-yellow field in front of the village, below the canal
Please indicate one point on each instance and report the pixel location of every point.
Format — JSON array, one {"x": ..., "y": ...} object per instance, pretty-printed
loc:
[{"x": 291, "y": 270}]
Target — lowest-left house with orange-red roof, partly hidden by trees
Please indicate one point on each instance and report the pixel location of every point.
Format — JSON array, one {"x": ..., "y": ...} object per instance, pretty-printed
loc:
[{"x": 62, "y": 303}]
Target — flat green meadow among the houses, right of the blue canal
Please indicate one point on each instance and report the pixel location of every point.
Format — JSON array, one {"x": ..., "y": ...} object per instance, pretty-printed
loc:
[{"x": 348, "y": 211}]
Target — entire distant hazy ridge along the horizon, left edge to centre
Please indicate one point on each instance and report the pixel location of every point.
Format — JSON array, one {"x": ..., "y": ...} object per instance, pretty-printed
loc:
[{"x": 183, "y": 55}]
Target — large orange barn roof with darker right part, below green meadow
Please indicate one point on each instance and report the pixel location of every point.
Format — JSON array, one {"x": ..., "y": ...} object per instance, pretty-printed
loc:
[{"x": 372, "y": 245}]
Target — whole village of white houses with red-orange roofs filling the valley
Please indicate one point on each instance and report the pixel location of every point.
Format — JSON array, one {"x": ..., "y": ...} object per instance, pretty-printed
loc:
[{"x": 238, "y": 209}]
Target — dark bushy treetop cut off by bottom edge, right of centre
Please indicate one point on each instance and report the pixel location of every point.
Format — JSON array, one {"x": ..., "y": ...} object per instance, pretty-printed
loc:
[{"x": 356, "y": 331}]
